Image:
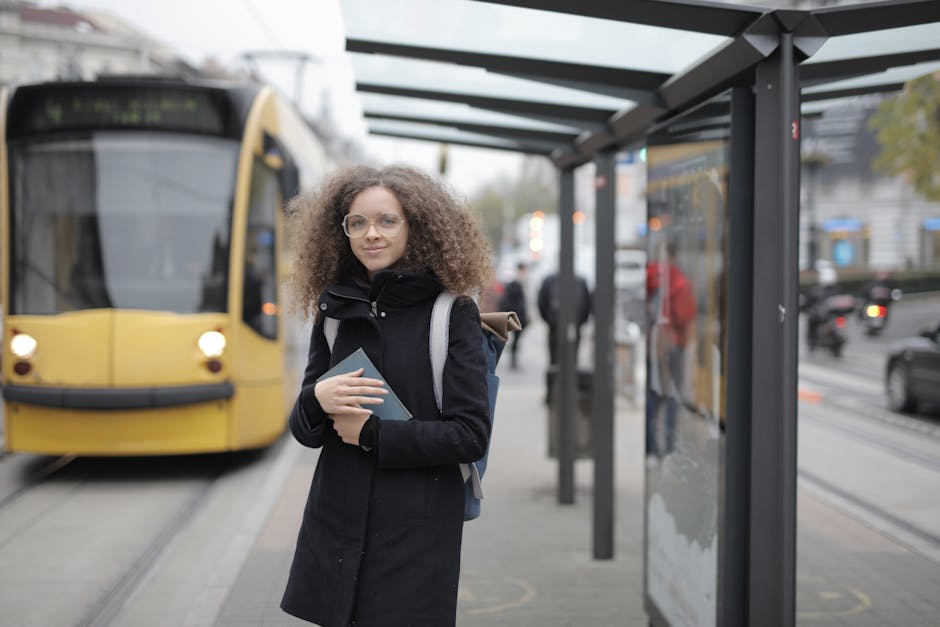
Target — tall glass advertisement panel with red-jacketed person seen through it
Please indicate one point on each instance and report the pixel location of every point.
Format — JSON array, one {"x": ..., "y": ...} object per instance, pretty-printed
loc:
[{"x": 686, "y": 294}]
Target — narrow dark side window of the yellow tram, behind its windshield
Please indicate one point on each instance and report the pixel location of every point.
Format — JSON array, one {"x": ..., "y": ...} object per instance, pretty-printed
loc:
[{"x": 259, "y": 297}]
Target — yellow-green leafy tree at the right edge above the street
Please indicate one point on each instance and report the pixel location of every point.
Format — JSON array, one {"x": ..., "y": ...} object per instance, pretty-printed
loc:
[{"x": 908, "y": 129}]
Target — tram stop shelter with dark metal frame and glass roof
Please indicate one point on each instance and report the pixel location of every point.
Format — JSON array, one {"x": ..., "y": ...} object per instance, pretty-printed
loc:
[{"x": 716, "y": 91}]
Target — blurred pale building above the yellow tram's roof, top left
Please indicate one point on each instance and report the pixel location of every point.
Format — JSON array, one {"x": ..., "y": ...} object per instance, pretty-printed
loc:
[{"x": 40, "y": 43}]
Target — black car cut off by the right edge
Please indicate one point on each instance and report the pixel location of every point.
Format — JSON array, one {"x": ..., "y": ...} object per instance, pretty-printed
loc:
[{"x": 912, "y": 372}]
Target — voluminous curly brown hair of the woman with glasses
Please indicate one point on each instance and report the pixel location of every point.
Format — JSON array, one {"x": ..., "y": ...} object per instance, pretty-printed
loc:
[{"x": 444, "y": 237}]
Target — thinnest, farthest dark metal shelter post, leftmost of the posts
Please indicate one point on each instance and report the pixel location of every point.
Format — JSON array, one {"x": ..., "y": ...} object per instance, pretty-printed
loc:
[{"x": 566, "y": 334}]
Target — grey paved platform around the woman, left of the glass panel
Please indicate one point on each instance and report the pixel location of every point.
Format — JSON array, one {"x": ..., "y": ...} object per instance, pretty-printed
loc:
[{"x": 527, "y": 560}]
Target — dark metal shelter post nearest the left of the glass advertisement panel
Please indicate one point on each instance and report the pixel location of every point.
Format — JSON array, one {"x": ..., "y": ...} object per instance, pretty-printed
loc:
[{"x": 602, "y": 400}]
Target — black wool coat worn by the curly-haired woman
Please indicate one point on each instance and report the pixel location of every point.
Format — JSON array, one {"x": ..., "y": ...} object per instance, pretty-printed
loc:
[{"x": 381, "y": 532}]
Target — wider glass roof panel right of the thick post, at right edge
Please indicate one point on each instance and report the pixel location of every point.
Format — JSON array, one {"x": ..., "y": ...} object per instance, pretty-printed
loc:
[{"x": 878, "y": 43}]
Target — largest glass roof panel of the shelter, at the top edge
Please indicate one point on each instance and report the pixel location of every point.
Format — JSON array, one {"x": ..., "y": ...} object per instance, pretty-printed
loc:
[{"x": 481, "y": 27}]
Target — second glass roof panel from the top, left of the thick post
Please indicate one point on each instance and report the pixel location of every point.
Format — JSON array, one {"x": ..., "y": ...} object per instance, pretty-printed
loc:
[{"x": 451, "y": 78}]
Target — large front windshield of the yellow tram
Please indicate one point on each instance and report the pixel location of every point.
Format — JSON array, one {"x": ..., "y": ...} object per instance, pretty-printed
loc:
[{"x": 121, "y": 220}]
